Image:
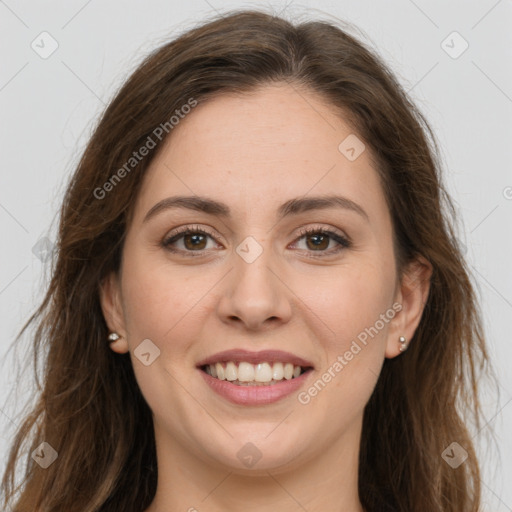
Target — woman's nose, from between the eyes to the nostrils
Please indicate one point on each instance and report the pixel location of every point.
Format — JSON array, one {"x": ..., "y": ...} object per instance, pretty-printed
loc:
[{"x": 253, "y": 293}]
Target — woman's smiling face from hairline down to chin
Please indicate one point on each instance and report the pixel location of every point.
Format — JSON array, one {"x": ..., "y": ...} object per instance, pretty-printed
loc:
[{"x": 249, "y": 263}]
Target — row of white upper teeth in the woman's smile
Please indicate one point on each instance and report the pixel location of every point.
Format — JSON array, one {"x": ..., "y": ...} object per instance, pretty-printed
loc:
[{"x": 247, "y": 372}]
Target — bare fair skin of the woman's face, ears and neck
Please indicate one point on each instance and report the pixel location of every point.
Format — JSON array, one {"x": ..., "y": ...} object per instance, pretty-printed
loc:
[{"x": 241, "y": 150}]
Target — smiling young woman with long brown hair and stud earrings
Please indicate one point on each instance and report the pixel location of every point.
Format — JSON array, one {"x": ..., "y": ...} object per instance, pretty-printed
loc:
[{"x": 257, "y": 301}]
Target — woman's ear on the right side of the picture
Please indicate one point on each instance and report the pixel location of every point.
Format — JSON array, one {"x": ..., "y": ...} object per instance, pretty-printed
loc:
[{"x": 412, "y": 293}]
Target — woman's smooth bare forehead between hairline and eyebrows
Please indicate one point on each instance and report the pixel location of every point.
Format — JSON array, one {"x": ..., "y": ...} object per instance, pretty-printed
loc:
[{"x": 258, "y": 149}]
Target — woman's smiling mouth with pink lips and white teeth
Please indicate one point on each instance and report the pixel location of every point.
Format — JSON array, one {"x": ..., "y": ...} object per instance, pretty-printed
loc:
[{"x": 252, "y": 378}]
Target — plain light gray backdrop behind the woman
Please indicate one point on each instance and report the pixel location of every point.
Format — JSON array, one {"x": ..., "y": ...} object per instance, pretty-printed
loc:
[{"x": 48, "y": 108}]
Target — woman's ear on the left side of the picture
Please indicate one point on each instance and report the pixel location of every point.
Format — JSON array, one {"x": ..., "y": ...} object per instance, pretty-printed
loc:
[{"x": 110, "y": 299}]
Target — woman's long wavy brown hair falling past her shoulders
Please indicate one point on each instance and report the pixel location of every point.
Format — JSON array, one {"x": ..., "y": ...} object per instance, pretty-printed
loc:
[{"x": 90, "y": 408}]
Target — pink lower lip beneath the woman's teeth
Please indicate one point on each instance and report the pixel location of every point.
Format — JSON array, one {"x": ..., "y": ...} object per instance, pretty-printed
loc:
[{"x": 255, "y": 395}]
